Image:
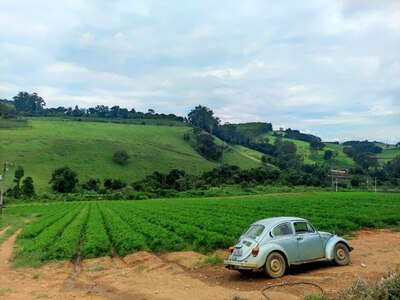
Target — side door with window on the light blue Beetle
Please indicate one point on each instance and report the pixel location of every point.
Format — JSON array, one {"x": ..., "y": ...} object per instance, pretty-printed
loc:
[{"x": 308, "y": 241}]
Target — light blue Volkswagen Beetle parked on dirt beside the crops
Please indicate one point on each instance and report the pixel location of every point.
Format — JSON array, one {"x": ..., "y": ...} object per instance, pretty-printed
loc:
[{"x": 275, "y": 243}]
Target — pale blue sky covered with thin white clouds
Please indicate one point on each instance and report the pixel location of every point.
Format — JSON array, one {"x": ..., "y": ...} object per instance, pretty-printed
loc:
[{"x": 325, "y": 67}]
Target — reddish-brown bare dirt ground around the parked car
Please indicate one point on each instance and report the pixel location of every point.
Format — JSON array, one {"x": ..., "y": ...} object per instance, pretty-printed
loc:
[{"x": 175, "y": 275}]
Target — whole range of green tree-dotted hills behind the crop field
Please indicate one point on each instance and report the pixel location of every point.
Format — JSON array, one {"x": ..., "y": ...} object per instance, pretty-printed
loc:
[{"x": 139, "y": 152}]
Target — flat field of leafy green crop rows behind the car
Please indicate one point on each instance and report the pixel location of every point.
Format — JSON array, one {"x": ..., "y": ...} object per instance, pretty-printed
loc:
[{"x": 93, "y": 229}]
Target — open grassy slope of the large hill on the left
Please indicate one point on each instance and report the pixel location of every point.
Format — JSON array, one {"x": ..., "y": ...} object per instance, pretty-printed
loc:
[{"x": 40, "y": 145}]
